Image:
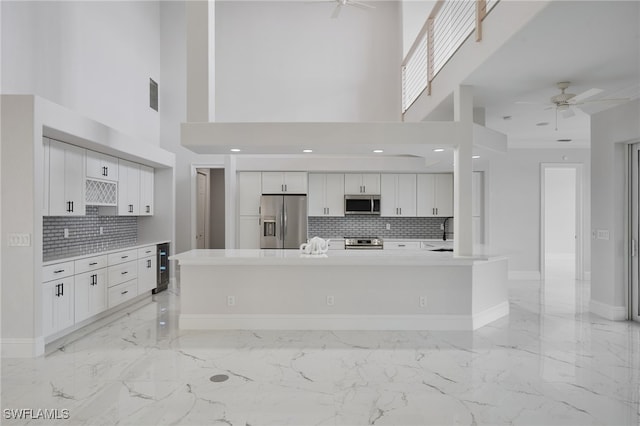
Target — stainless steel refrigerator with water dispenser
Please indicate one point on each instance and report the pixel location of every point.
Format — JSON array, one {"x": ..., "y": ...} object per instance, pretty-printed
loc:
[{"x": 283, "y": 221}]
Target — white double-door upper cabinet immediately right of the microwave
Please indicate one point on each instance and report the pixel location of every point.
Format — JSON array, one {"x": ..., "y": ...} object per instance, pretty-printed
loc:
[{"x": 398, "y": 195}]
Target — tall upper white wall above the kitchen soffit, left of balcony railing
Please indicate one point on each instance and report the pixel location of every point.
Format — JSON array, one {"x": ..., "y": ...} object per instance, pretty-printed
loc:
[{"x": 289, "y": 61}]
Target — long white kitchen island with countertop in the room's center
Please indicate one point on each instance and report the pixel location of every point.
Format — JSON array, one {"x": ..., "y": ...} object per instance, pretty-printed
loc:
[{"x": 342, "y": 290}]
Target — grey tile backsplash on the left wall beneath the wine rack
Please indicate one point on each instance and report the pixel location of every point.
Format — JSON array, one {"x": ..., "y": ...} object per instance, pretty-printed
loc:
[{"x": 84, "y": 234}]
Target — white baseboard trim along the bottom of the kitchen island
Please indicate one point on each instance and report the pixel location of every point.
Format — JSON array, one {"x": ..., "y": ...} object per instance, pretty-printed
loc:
[{"x": 341, "y": 322}]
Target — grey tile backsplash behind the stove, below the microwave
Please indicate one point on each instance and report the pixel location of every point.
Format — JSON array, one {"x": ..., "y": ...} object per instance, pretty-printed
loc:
[{"x": 375, "y": 226}]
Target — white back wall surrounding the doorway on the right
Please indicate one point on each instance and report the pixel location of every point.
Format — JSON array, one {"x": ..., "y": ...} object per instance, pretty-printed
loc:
[{"x": 514, "y": 205}]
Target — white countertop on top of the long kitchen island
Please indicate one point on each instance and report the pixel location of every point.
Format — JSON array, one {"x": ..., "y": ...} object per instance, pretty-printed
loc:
[{"x": 333, "y": 257}]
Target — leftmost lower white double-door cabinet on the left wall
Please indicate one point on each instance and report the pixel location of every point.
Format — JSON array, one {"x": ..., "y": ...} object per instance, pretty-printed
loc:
[{"x": 57, "y": 305}]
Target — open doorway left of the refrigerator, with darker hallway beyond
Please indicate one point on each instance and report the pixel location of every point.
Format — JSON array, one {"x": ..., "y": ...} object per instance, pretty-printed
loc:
[{"x": 210, "y": 208}]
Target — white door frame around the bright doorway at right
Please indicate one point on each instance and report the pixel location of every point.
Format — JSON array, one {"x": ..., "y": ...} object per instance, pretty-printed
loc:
[{"x": 579, "y": 248}]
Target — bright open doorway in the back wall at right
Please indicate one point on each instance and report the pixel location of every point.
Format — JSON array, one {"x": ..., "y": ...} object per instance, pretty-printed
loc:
[{"x": 561, "y": 245}]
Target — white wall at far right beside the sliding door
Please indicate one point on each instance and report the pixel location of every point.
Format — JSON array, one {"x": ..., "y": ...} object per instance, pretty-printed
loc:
[{"x": 611, "y": 130}]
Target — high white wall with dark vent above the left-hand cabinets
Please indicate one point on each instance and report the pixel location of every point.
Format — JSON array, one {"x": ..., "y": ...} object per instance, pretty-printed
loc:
[{"x": 95, "y": 58}]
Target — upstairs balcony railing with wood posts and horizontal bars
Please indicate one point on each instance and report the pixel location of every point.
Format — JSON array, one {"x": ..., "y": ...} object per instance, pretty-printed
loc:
[{"x": 450, "y": 23}]
